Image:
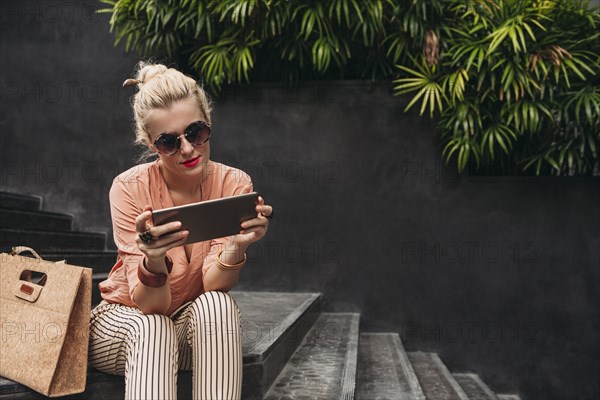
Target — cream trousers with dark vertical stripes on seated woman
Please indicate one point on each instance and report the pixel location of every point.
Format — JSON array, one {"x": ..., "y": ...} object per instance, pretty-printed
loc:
[{"x": 203, "y": 336}]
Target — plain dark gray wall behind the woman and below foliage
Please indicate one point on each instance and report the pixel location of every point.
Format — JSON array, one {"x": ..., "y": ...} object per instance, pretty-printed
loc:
[{"x": 499, "y": 275}]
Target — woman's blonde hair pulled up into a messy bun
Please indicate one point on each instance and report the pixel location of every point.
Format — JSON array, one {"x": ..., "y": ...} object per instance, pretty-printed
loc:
[{"x": 158, "y": 88}]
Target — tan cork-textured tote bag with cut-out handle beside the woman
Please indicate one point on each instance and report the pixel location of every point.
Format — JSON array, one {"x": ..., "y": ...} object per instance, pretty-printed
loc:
[{"x": 44, "y": 323}]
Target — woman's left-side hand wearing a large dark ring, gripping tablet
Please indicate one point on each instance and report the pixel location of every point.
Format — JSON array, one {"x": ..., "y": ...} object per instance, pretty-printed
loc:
[{"x": 156, "y": 250}]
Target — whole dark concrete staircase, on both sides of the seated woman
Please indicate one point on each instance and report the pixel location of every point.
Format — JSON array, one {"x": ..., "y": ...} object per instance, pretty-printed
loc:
[{"x": 292, "y": 349}]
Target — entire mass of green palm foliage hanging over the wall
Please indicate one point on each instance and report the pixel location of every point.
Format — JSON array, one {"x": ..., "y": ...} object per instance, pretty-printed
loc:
[{"x": 514, "y": 84}]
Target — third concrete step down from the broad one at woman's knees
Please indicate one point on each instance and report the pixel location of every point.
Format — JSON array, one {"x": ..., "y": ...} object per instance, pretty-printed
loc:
[{"x": 435, "y": 379}]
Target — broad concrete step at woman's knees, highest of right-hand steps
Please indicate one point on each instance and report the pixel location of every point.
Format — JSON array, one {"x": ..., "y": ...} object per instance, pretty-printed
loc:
[{"x": 273, "y": 326}]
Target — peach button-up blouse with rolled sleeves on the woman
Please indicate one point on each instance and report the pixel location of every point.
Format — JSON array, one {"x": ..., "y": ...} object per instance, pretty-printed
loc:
[{"x": 144, "y": 185}]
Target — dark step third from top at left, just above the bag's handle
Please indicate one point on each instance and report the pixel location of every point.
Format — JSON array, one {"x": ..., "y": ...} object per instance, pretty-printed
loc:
[{"x": 48, "y": 241}]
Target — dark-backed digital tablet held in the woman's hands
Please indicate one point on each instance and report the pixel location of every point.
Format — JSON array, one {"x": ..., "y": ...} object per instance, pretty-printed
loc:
[{"x": 210, "y": 219}]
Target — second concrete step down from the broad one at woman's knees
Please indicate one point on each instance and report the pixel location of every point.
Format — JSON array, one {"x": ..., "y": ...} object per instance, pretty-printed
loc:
[{"x": 384, "y": 371}]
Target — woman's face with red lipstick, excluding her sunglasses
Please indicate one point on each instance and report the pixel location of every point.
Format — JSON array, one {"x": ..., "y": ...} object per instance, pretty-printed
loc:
[{"x": 188, "y": 161}]
